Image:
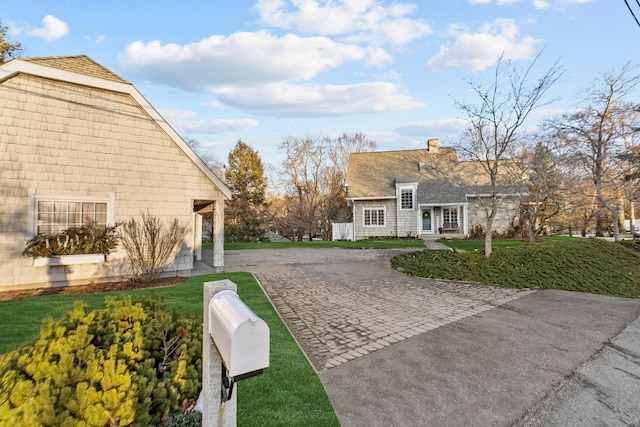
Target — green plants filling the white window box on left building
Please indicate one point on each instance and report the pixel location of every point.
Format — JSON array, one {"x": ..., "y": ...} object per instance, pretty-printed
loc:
[{"x": 88, "y": 238}]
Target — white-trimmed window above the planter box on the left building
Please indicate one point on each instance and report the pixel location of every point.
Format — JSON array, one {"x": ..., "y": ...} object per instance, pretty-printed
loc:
[{"x": 54, "y": 216}]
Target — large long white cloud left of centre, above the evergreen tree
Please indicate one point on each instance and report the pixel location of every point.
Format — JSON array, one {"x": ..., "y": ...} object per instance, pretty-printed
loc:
[{"x": 241, "y": 58}]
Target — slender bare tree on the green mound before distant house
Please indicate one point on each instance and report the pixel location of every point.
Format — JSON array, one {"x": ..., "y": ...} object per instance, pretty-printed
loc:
[{"x": 495, "y": 125}]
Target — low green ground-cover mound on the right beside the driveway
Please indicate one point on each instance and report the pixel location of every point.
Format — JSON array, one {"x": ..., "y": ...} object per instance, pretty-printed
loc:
[{"x": 584, "y": 265}]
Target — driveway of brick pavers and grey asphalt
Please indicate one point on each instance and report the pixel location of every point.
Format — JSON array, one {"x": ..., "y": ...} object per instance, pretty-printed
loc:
[{"x": 393, "y": 350}]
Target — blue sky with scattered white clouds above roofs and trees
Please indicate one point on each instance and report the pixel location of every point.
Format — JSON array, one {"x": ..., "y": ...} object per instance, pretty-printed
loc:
[{"x": 265, "y": 70}]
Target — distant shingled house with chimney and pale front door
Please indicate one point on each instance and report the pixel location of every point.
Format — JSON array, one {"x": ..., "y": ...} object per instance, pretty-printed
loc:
[{"x": 422, "y": 193}]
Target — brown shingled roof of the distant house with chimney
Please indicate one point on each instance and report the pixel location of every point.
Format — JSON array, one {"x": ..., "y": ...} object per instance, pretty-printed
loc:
[{"x": 440, "y": 177}]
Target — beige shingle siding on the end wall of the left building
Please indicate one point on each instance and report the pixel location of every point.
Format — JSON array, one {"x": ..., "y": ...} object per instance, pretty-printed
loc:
[{"x": 70, "y": 140}]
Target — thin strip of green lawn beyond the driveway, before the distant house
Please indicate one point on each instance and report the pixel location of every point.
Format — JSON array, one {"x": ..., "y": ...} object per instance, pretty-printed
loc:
[{"x": 360, "y": 244}]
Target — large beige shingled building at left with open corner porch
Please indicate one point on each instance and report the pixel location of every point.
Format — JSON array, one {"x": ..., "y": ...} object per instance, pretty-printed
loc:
[{"x": 80, "y": 143}]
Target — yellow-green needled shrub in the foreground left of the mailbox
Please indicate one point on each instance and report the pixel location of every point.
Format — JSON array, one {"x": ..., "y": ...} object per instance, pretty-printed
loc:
[{"x": 127, "y": 364}]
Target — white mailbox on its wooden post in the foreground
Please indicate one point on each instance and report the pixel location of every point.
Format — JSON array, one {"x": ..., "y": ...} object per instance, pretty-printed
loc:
[{"x": 235, "y": 346}]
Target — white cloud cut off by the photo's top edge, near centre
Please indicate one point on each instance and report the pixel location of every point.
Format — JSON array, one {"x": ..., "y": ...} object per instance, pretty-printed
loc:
[{"x": 357, "y": 20}]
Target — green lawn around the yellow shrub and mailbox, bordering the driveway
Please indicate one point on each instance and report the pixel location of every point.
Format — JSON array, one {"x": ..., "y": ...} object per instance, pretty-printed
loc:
[{"x": 289, "y": 393}]
